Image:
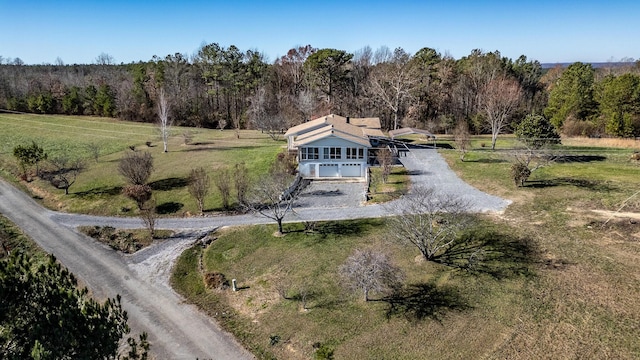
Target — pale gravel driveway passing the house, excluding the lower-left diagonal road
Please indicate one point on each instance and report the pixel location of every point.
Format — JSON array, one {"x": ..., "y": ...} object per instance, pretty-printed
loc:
[{"x": 426, "y": 166}]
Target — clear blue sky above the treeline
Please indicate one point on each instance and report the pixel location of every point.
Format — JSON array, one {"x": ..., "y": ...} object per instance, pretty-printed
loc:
[{"x": 130, "y": 31}]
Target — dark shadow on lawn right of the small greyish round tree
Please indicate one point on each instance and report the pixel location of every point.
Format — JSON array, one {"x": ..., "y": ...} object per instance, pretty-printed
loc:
[{"x": 421, "y": 301}]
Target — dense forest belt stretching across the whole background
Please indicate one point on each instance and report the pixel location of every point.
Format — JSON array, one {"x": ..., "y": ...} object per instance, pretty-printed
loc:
[{"x": 226, "y": 87}]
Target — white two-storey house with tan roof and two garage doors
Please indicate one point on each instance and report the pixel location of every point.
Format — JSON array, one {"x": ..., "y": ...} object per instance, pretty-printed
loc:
[{"x": 334, "y": 146}]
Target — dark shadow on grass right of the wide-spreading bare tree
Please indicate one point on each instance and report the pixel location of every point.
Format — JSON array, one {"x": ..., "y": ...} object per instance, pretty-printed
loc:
[{"x": 493, "y": 253}]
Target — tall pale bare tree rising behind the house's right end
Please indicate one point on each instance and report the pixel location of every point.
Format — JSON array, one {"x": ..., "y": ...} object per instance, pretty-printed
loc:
[{"x": 391, "y": 80}]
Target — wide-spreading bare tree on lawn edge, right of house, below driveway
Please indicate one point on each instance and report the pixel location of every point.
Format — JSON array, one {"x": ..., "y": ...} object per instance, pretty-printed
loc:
[{"x": 429, "y": 221}]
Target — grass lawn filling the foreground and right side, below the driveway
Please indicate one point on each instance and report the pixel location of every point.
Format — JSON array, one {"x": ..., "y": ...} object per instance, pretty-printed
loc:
[{"x": 556, "y": 280}]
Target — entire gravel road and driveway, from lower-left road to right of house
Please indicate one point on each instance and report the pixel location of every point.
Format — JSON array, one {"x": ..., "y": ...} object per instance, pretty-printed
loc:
[{"x": 177, "y": 330}]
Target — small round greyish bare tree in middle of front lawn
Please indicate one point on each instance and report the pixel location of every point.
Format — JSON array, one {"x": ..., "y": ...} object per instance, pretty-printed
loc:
[{"x": 369, "y": 270}]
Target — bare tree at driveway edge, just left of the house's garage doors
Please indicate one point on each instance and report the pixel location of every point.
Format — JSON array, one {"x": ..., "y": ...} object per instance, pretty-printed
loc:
[{"x": 273, "y": 196}]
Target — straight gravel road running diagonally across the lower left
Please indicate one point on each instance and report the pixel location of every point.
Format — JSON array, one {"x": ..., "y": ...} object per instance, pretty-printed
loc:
[{"x": 176, "y": 330}]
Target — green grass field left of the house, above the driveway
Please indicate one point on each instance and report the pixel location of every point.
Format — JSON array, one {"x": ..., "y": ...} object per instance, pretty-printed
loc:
[{"x": 98, "y": 189}]
